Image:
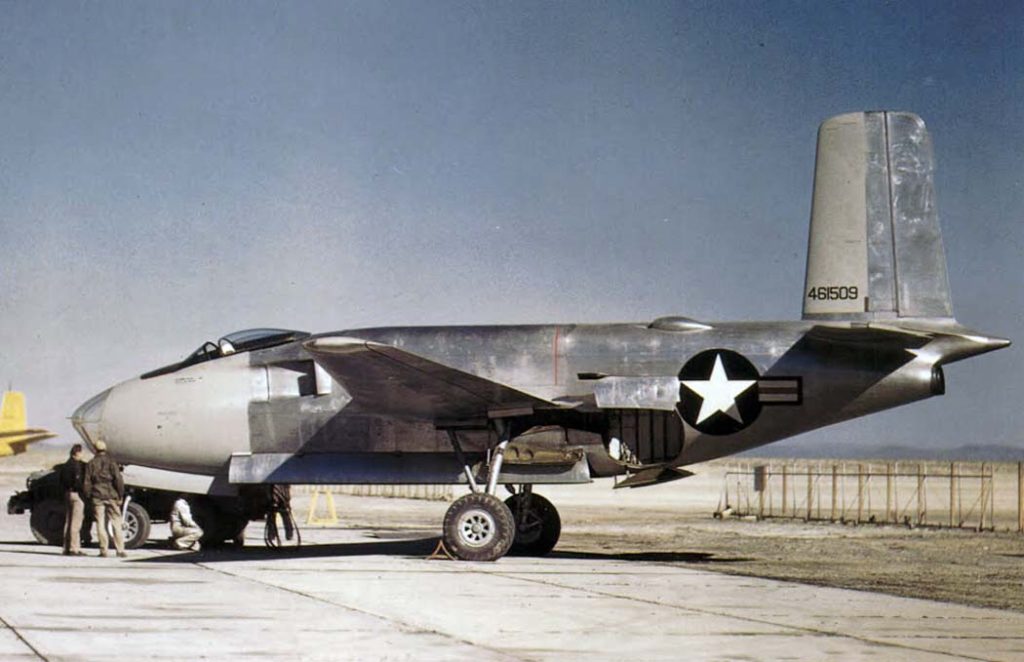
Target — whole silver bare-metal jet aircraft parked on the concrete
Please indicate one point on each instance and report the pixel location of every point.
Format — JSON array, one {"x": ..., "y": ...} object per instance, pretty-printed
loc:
[{"x": 530, "y": 405}]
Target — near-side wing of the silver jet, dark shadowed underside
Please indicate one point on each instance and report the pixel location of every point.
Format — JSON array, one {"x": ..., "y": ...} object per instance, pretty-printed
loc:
[{"x": 389, "y": 381}]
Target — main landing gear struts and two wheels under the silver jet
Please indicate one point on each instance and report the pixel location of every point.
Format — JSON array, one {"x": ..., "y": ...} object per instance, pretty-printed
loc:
[{"x": 482, "y": 527}]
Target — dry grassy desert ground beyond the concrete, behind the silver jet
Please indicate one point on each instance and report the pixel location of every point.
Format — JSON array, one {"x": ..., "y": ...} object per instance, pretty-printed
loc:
[{"x": 674, "y": 524}]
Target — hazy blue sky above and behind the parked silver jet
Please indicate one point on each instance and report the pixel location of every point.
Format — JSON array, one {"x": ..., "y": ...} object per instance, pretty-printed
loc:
[{"x": 170, "y": 173}]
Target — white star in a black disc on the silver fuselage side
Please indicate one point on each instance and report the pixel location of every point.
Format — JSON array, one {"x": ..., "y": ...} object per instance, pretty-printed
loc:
[{"x": 718, "y": 392}]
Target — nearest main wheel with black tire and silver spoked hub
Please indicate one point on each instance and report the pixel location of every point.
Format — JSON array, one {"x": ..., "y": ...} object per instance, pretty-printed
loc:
[{"x": 479, "y": 527}]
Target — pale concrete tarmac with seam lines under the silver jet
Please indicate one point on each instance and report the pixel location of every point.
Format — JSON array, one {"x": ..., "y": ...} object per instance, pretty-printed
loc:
[{"x": 347, "y": 596}]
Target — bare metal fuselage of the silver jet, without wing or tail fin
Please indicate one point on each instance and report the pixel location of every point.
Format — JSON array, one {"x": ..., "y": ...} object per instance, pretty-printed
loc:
[{"x": 275, "y": 401}]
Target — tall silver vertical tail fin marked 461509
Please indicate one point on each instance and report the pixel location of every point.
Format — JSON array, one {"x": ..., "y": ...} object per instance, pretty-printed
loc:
[{"x": 876, "y": 247}]
